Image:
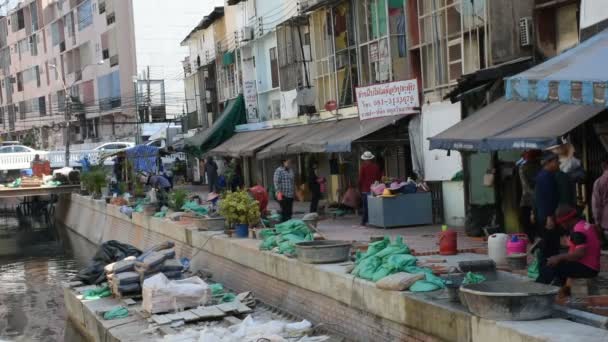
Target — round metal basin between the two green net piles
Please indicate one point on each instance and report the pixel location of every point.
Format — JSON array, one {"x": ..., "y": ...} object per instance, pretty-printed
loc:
[{"x": 323, "y": 251}]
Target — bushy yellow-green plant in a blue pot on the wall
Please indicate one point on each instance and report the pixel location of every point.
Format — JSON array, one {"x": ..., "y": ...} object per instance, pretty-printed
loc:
[{"x": 240, "y": 210}]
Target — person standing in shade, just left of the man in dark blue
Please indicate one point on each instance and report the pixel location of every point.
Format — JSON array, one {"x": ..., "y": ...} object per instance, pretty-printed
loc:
[{"x": 527, "y": 176}]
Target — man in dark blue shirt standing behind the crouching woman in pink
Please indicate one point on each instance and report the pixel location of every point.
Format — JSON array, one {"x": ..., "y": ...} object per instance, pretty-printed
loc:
[{"x": 545, "y": 203}]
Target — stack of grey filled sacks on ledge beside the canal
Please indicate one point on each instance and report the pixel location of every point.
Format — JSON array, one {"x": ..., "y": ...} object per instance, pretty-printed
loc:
[{"x": 127, "y": 276}]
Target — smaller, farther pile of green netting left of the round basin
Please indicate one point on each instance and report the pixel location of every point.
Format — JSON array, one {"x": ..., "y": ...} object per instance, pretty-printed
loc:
[{"x": 285, "y": 236}]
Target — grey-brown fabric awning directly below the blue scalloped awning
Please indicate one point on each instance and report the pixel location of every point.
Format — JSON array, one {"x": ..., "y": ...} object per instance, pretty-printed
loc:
[{"x": 507, "y": 125}]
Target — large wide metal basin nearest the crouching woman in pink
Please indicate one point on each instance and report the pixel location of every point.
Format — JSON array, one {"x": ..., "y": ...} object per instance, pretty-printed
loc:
[{"x": 509, "y": 300}]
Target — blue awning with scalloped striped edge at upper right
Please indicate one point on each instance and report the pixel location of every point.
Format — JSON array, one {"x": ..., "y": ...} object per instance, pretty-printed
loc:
[{"x": 577, "y": 76}]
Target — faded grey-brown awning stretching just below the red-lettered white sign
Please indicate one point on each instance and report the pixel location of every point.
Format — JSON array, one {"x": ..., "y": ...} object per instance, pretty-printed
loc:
[{"x": 325, "y": 137}]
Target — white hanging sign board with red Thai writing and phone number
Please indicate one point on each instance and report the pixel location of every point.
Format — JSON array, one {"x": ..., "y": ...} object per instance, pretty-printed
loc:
[{"x": 388, "y": 99}]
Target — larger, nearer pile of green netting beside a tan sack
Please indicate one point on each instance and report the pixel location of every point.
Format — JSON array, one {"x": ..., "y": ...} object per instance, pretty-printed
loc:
[{"x": 384, "y": 258}]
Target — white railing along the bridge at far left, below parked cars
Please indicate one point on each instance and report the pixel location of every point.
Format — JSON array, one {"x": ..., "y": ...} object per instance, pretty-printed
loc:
[{"x": 20, "y": 161}]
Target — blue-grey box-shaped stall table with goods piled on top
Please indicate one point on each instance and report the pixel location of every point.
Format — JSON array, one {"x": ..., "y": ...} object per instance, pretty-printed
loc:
[{"x": 401, "y": 210}]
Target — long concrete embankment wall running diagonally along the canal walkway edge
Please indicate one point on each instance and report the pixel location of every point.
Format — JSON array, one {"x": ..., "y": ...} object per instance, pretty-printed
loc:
[{"x": 321, "y": 293}]
